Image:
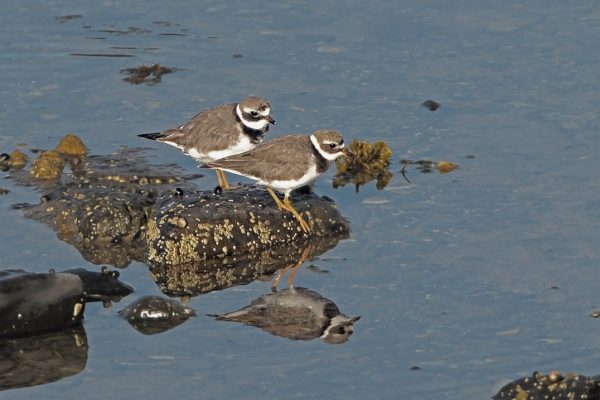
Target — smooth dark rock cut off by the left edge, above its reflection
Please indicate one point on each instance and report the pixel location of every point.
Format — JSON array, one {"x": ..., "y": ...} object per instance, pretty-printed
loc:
[{"x": 34, "y": 303}]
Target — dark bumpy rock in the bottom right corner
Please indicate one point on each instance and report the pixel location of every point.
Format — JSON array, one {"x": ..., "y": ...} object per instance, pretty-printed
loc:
[{"x": 552, "y": 386}]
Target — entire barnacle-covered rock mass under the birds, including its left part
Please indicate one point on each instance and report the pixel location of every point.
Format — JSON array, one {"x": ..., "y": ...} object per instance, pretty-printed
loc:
[{"x": 117, "y": 208}]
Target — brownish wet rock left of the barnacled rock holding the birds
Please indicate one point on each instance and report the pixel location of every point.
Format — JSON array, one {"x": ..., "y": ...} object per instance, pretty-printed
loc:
[{"x": 102, "y": 207}]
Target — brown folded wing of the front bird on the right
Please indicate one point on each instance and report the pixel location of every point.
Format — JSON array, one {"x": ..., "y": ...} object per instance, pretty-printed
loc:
[{"x": 273, "y": 160}]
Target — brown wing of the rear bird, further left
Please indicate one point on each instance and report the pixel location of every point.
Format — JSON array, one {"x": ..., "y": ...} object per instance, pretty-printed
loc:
[{"x": 208, "y": 130}]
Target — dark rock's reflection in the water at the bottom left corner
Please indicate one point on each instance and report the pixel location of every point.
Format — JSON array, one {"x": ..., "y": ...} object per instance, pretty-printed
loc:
[{"x": 37, "y": 360}]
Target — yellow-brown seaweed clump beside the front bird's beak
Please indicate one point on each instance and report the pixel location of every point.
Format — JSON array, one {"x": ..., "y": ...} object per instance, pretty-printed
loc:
[{"x": 366, "y": 162}]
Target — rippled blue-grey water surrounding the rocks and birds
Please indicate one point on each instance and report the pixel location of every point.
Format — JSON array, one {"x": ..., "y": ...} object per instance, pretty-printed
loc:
[{"x": 463, "y": 281}]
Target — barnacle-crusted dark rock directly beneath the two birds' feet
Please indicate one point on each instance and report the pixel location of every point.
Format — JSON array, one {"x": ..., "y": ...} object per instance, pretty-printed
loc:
[{"x": 244, "y": 220}]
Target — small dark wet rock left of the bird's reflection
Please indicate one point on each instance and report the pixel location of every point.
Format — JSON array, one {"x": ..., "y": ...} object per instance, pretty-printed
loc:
[{"x": 152, "y": 314}]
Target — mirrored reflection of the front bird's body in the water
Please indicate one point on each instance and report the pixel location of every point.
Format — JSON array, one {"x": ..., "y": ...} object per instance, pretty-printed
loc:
[{"x": 297, "y": 314}]
